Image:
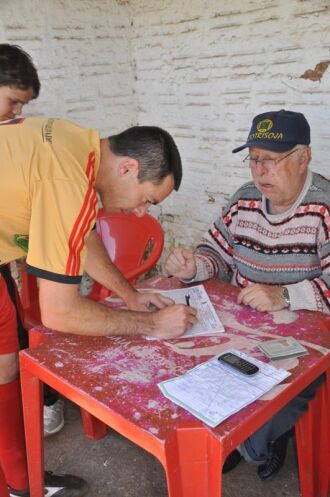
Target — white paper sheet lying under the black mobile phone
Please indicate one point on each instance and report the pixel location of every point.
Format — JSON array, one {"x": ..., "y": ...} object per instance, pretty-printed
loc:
[{"x": 213, "y": 391}]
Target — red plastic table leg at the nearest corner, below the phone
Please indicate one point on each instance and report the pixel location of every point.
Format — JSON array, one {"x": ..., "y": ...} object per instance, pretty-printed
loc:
[{"x": 192, "y": 464}]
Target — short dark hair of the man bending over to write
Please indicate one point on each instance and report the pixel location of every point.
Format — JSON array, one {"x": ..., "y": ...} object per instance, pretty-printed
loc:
[{"x": 154, "y": 149}]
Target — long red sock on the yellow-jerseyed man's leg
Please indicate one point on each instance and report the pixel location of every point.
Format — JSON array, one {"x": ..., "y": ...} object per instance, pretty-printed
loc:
[{"x": 12, "y": 441}]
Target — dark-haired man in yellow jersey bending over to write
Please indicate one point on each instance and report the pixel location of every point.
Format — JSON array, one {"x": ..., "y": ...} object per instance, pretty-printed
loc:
[{"x": 51, "y": 172}]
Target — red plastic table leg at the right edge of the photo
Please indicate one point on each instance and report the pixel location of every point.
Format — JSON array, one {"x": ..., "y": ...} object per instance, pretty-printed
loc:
[{"x": 313, "y": 445}]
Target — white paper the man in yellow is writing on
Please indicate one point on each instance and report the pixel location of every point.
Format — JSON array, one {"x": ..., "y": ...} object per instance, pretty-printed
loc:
[{"x": 208, "y": 320}]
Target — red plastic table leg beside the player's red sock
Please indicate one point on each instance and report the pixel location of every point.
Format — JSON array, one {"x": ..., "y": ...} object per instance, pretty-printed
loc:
[{"x": 33, "y": 422}]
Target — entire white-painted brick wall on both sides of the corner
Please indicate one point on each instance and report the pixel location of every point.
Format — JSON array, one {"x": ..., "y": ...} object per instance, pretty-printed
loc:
[{"x": 199, "y": 68}]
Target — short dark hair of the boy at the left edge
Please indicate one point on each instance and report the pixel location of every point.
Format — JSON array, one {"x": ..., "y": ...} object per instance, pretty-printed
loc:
[{"x": 17, "y": 69}]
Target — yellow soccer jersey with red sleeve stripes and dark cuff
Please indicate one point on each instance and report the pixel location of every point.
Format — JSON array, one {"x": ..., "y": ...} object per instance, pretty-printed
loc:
[{"x": 48, "y": 204}]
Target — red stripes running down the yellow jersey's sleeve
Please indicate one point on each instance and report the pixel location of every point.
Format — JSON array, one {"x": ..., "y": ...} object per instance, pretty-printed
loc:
[{"x": 83, "y": 222}]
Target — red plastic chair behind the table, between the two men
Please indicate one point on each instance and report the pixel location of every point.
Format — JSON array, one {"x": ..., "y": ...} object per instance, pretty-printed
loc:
[{"x": 133, "y": 243}]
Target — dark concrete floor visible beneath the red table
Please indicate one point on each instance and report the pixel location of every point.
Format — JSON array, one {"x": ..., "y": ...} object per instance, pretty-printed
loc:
[{"x": 115, "y": 467}]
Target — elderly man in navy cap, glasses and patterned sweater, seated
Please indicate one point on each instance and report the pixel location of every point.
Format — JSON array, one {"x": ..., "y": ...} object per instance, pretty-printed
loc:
[{"x": 272, "y": 240}]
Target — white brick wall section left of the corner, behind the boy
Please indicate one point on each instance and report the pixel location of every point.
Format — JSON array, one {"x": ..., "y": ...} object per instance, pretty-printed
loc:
[{"x": 82, "y": 51}]
